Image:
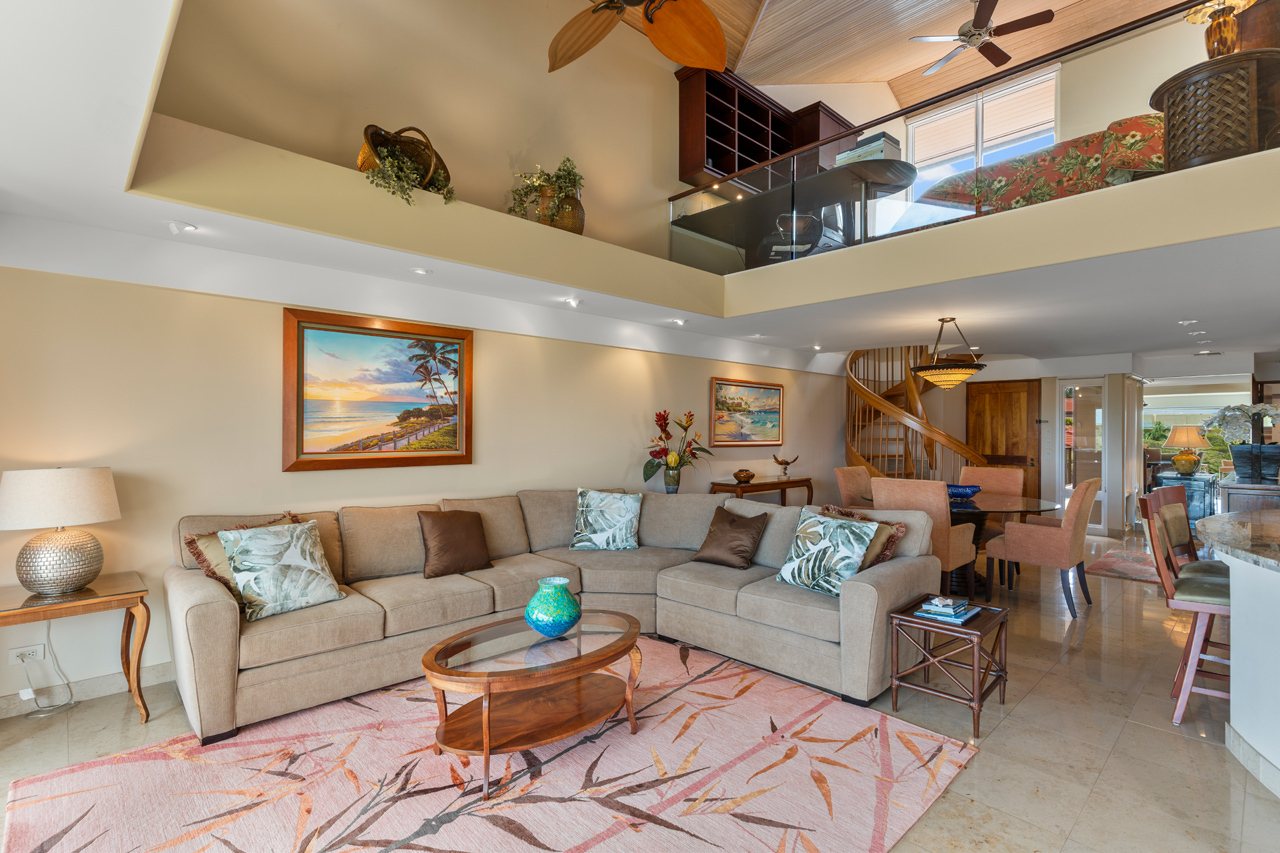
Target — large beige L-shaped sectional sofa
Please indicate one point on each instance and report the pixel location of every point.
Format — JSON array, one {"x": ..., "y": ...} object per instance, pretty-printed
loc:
[{"x": 232, "y": 673}]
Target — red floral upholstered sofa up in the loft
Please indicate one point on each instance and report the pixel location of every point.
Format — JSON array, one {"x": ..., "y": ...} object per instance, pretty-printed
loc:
[{"x": 1127, "y": 149}]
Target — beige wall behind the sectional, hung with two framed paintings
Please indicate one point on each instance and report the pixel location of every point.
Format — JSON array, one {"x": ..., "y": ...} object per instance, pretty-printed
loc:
[{"x": 180, "y": 394}]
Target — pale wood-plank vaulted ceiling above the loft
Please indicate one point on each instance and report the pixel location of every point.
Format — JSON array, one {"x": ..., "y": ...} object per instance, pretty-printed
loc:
[{"x": 854, "y": 42}]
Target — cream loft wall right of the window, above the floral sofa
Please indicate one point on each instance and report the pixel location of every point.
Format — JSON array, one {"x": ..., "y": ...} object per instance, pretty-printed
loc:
[{"x": 1117, "y": 81}]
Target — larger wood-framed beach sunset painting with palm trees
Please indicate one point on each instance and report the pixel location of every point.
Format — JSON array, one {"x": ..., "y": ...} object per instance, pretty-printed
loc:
[{"x": 364, "y": 393}]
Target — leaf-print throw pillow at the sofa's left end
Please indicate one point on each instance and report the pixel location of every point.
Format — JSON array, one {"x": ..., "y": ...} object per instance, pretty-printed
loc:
[{"x": 280, "y": 569}]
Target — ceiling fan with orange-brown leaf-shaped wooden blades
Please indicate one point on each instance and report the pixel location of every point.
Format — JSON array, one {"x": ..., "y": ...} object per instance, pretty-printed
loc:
[{"x": 685, "y": 31}]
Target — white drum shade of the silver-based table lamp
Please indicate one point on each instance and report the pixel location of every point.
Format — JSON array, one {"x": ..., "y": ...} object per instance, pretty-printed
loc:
[{"x": 57, "y": 498}]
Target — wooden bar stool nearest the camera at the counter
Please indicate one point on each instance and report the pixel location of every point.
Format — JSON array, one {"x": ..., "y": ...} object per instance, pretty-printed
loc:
[{"x": 1208, "y": 597}]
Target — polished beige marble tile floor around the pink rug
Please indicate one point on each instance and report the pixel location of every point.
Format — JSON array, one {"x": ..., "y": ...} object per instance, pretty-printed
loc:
[{"x": 1081, "y": 759}]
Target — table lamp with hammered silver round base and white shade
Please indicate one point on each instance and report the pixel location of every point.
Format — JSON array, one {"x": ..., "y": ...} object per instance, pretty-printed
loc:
[{"x": 62, "y": 560}]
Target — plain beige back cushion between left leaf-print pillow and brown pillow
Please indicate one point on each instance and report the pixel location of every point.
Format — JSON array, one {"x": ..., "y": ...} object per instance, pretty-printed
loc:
[{"x": 383, "y": 541}]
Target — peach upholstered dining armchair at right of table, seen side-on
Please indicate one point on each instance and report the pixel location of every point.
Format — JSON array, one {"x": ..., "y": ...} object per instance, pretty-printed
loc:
[{"x": 1050, "y": 544}]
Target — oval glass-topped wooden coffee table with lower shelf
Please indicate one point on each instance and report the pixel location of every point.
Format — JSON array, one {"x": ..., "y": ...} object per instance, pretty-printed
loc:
[{"x": 533, "y": 690}]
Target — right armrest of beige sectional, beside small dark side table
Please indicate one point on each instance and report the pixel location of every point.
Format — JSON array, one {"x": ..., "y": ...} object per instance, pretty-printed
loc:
[{"x": 866, "y": 603}]
